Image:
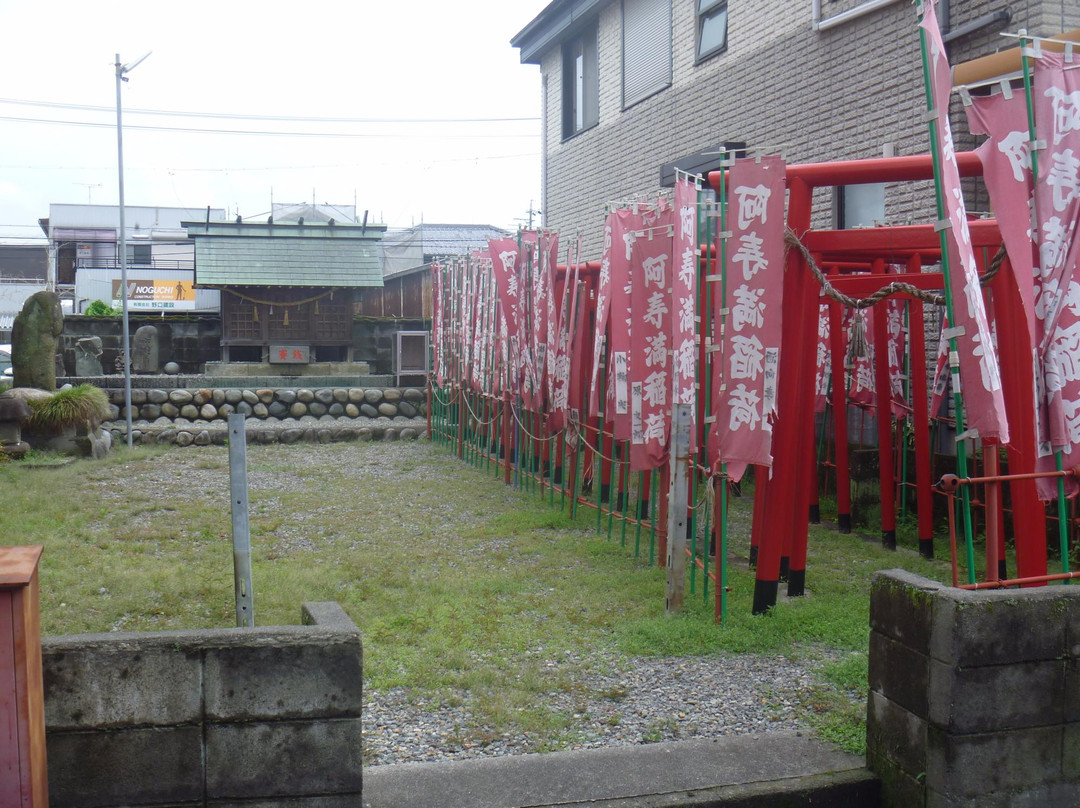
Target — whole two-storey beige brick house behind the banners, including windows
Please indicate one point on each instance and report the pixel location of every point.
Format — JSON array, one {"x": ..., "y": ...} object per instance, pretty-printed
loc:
[{"x": 632, "y": 88}]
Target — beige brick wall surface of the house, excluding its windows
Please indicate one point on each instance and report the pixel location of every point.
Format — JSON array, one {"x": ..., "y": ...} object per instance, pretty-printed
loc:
[{"x": 781, "y": 87}]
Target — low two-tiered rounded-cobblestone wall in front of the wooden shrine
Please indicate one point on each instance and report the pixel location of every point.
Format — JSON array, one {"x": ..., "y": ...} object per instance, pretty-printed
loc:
[{"x": 286, "y": 415}]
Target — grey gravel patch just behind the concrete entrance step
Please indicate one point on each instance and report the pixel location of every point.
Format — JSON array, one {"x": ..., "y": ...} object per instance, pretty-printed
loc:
[{"x": 654, "y": 701}]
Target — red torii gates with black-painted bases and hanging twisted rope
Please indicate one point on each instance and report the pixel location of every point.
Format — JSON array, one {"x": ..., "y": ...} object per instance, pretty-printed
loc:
[{"x": 780, "y": 534}]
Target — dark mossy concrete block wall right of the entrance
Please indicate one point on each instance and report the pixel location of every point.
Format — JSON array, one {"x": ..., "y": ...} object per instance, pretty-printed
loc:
[{"x": 975, "y": 697}]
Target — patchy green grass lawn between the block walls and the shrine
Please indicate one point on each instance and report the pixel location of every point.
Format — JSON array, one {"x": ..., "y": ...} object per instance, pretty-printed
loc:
[{"x": 462, "y": 586}]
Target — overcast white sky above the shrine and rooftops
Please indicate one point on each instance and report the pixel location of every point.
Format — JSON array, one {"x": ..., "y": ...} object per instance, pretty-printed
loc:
[{"x": 443, "y": 118}]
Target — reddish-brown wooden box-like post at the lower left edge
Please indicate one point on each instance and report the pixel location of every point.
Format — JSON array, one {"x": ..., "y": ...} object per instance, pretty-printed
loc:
[{"x": 23, "y": 780}]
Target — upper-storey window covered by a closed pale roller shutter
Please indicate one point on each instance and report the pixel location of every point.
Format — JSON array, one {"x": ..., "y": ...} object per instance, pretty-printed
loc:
[{"x": 646, "y": 49}]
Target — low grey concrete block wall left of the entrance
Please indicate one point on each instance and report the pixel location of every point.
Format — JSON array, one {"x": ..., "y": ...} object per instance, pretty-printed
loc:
[{"x": 258, "y": 718}]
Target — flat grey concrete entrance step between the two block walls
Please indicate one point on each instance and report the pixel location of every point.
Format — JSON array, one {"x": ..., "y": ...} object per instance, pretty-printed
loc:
[{"x": 742, "y": 771}]
